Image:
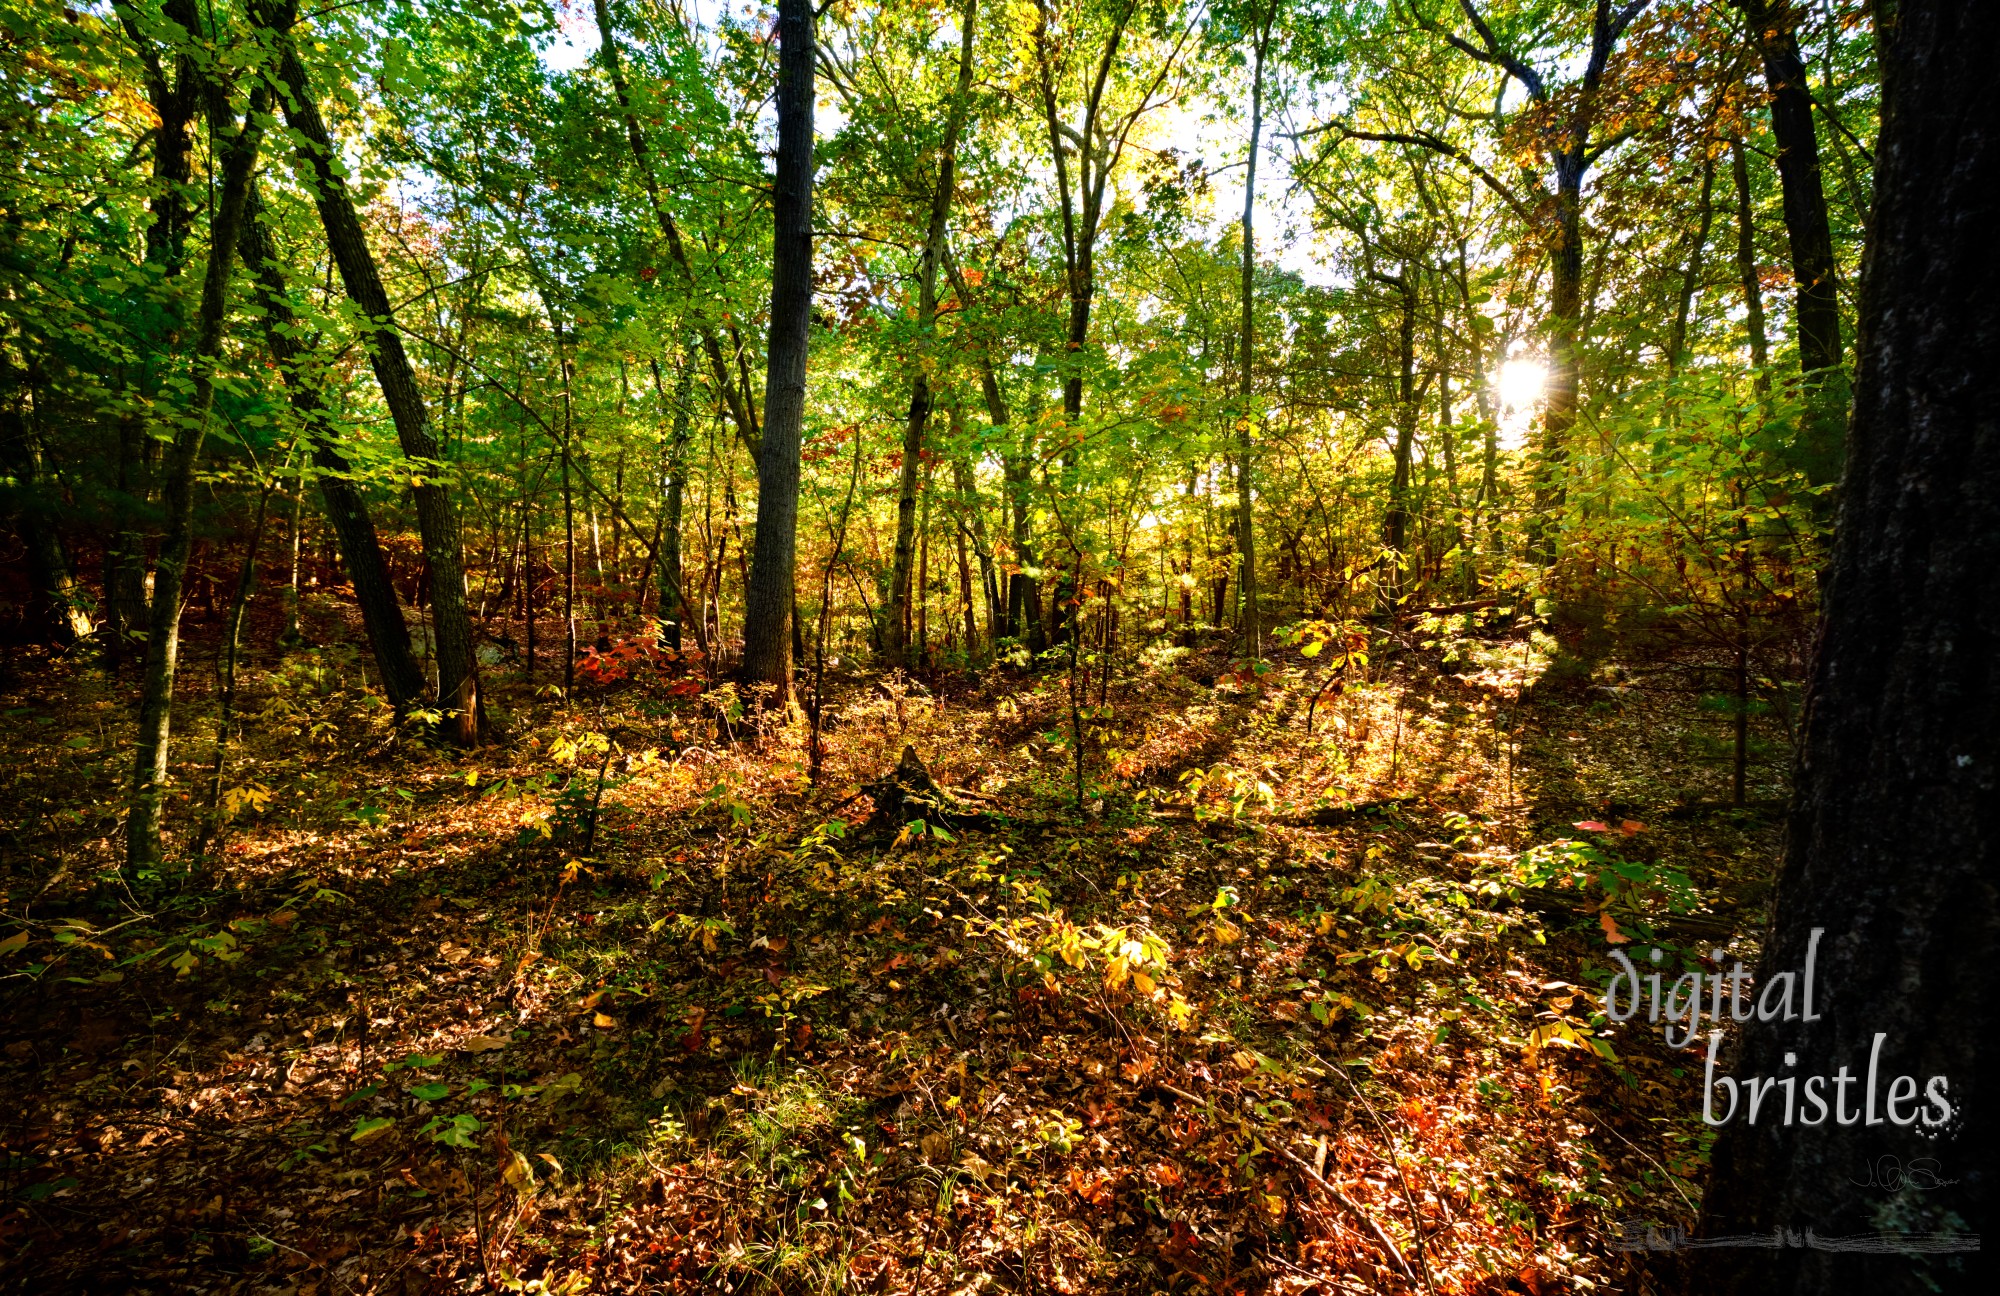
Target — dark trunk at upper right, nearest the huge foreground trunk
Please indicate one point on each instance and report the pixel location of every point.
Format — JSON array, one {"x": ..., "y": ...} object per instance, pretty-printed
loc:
[{"x": 1817, "y": 307}]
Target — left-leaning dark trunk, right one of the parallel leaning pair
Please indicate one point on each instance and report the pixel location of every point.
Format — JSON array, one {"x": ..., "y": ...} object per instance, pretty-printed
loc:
[{"x": 437, "y": 519}]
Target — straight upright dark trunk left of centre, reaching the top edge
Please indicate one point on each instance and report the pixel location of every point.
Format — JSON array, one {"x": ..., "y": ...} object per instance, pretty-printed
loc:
[{"x": 769, "y": 603}]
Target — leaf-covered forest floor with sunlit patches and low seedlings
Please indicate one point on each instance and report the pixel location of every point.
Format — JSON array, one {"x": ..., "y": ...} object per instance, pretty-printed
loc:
[{"x": 1279, "y": 1009}]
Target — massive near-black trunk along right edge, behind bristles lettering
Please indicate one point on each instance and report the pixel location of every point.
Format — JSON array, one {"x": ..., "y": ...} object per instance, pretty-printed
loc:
[{"x": 1897, "y": 821}]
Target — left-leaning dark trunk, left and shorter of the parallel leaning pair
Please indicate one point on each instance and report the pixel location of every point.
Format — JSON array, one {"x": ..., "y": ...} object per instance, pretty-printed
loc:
[{"x": 347, "y": 511}]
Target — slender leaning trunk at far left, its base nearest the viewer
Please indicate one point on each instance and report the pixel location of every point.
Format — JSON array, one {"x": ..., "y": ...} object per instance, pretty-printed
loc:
[{"x": 163, "y": 625}]
